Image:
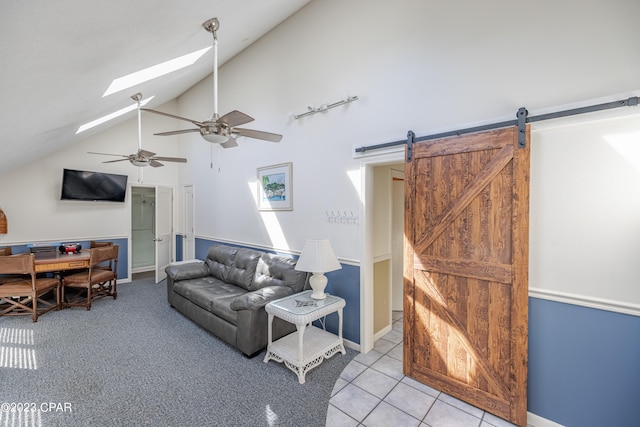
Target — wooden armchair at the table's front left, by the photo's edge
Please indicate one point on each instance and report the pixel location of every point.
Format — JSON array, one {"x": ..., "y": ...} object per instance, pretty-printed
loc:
[{"x": 26, "y": 294}]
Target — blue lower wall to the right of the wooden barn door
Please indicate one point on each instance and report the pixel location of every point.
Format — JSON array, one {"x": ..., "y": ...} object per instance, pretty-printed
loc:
[{"x": 584, "y": 365}]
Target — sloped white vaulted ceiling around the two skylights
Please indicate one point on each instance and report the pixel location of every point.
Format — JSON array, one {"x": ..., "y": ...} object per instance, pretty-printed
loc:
[{"x": 59, "y": 57}]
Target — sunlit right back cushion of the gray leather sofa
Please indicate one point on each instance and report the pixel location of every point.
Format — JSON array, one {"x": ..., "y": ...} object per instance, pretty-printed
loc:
[{"x": 276, "y": 270}]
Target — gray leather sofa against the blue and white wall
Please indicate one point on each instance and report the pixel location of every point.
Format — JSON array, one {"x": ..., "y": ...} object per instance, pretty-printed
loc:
[{"x": 226, "y": 294}]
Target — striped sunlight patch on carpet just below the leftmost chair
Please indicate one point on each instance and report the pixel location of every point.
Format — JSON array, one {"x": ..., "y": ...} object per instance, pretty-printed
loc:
[{"x": 17, "y": 355}]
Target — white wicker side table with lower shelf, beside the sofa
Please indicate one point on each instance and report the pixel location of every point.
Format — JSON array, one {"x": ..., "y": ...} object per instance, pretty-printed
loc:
[{"x": 305, "y": 349}]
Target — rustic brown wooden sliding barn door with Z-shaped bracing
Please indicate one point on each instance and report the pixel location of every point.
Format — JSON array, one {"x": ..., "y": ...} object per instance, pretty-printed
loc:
[{"x": 466, "y": 267}]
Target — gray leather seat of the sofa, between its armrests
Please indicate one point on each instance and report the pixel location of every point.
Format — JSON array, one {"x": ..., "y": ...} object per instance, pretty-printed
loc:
[{"x": 211, "y": 294}]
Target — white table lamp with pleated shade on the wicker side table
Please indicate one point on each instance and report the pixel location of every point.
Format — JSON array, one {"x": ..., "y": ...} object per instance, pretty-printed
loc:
[{"x": 317, "y": 257}]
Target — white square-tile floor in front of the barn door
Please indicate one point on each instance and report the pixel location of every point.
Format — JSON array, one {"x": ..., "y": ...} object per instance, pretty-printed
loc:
[{"x": 372, "y": 391}]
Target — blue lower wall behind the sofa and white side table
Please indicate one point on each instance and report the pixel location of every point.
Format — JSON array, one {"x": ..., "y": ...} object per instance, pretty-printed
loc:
[{"x": 344, "y": 283}]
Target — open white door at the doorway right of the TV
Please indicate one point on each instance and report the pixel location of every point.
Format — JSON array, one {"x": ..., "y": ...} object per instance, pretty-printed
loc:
[{"x": 163, "y": 230}]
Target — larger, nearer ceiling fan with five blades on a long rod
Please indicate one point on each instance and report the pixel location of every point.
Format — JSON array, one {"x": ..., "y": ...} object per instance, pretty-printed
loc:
[{"x": 219, "y": 130}]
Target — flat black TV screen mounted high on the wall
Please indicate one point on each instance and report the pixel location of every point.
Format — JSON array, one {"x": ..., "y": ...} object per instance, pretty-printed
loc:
[{"x": 93, "y": 186}]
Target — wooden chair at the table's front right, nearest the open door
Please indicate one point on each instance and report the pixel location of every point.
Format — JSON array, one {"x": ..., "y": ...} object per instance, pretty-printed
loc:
[{"x": 96, "y": 282}]
